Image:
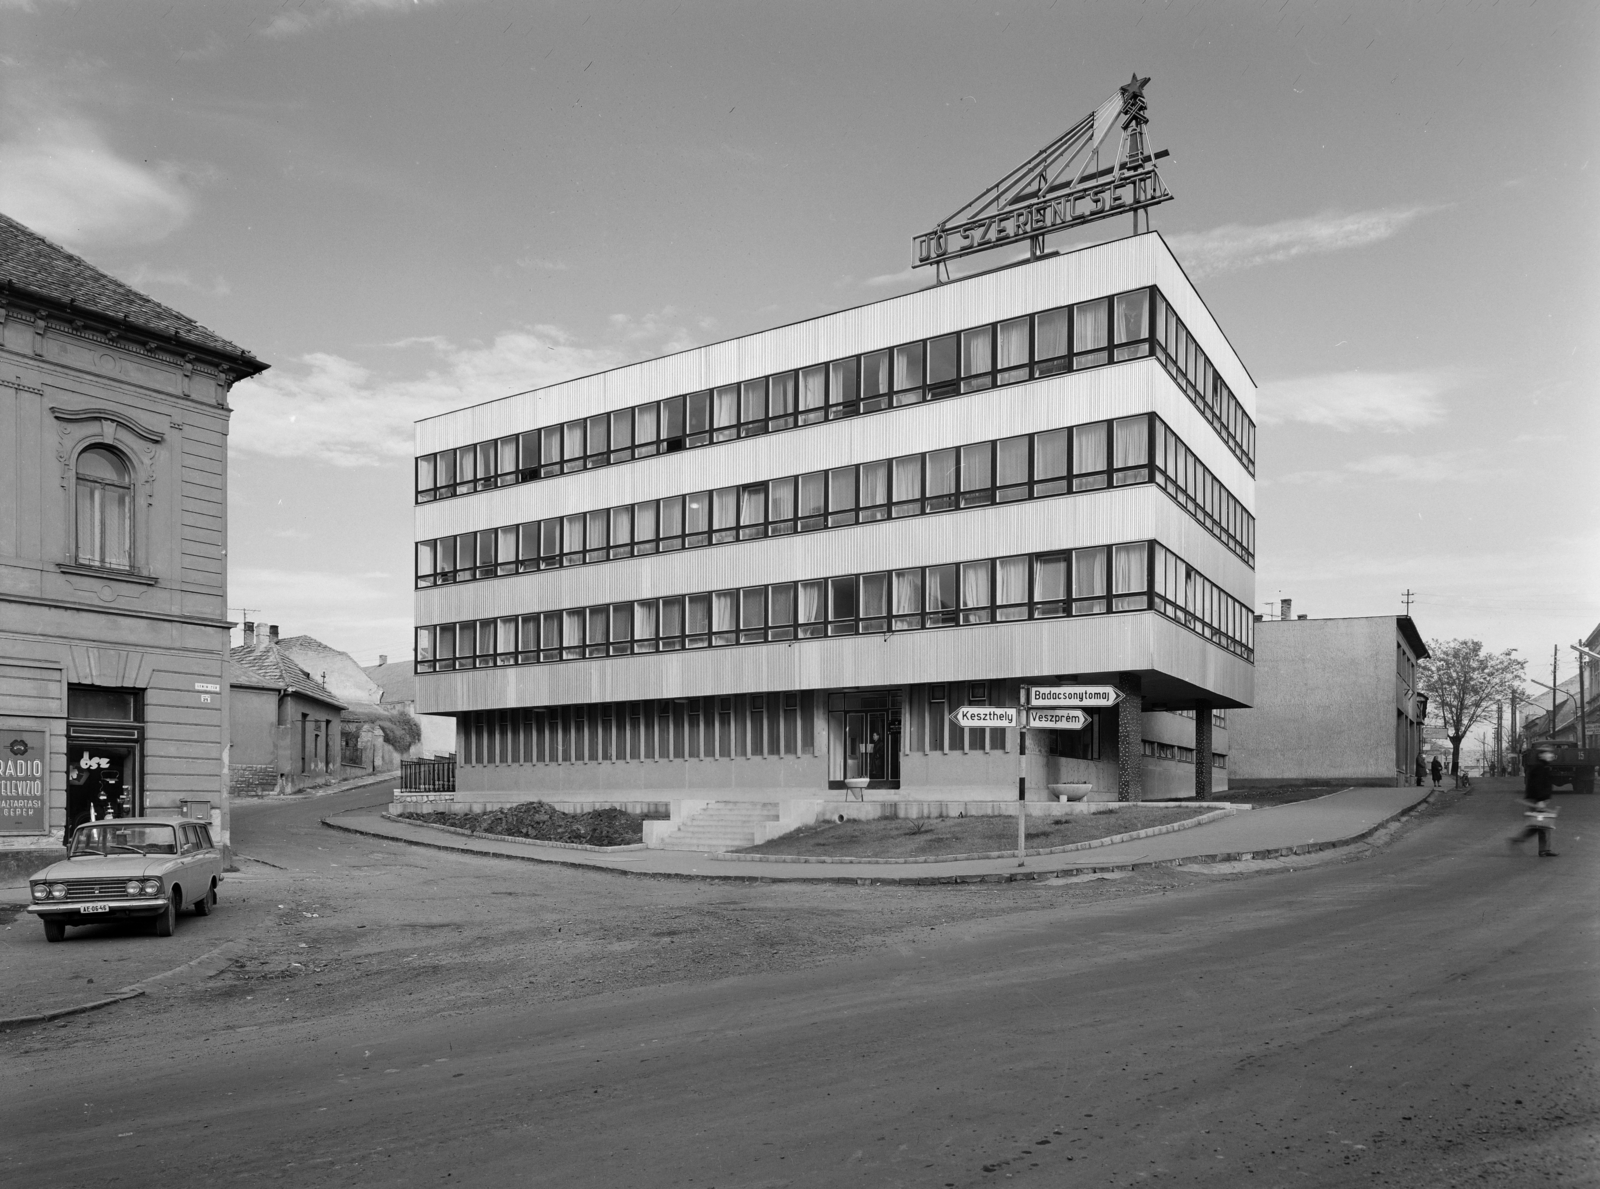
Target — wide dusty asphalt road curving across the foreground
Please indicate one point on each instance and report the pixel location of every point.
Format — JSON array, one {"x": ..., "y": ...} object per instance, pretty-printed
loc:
[{"x": 1423, "y": 1017}]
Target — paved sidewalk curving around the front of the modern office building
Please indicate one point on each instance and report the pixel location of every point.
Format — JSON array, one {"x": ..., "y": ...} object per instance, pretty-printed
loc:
[{"x": 1337, "y": 820}]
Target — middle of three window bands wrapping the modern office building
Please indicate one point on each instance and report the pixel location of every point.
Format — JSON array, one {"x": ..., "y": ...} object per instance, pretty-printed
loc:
[{"x": 1031, "y": 466}]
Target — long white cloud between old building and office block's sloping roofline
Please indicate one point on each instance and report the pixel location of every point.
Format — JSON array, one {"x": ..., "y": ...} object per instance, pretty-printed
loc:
[{"x": 335, "y": 410}]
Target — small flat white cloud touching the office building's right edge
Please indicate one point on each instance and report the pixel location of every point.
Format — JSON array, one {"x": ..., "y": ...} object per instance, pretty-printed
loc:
[{"x": 1390, "y": 402}]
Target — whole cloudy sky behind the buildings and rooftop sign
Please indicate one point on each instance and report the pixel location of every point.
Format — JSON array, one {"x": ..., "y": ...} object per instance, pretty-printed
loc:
[{"x": 407, "y": 206}]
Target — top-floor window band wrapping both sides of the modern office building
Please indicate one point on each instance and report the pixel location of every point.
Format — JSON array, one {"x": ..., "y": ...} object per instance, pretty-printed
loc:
[{"x": 1089, "y": 335}]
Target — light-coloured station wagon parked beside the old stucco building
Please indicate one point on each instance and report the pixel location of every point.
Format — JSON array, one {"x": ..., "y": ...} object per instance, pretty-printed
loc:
[{"x": 129, "y": 868}]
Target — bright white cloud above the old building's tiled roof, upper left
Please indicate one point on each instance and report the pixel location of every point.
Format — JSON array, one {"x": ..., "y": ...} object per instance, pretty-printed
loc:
[{"x": 62, "y": 178}]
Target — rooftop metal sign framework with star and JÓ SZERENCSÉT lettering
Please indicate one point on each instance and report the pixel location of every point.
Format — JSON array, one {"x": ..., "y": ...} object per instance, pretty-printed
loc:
[{"x": 1063, "y": 186}]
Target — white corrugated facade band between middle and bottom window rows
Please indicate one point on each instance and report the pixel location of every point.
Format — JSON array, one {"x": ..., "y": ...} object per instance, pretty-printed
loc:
[{"x": 1063, "y": 522}]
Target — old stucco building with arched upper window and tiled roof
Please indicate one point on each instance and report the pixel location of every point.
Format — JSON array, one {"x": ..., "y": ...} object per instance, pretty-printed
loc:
[{"x": 113, "y": 550}]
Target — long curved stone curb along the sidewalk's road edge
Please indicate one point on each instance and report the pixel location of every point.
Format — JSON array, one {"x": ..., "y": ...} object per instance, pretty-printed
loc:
[{"x": 913, "y": 881}]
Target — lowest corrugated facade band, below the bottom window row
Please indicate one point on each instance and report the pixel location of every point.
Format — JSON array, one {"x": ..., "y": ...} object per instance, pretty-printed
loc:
[{"x": 1038, "y": 649}]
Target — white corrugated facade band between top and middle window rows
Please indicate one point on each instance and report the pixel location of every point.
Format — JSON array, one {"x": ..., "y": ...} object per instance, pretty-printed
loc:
[{"x": 1138, "y": 386}]
